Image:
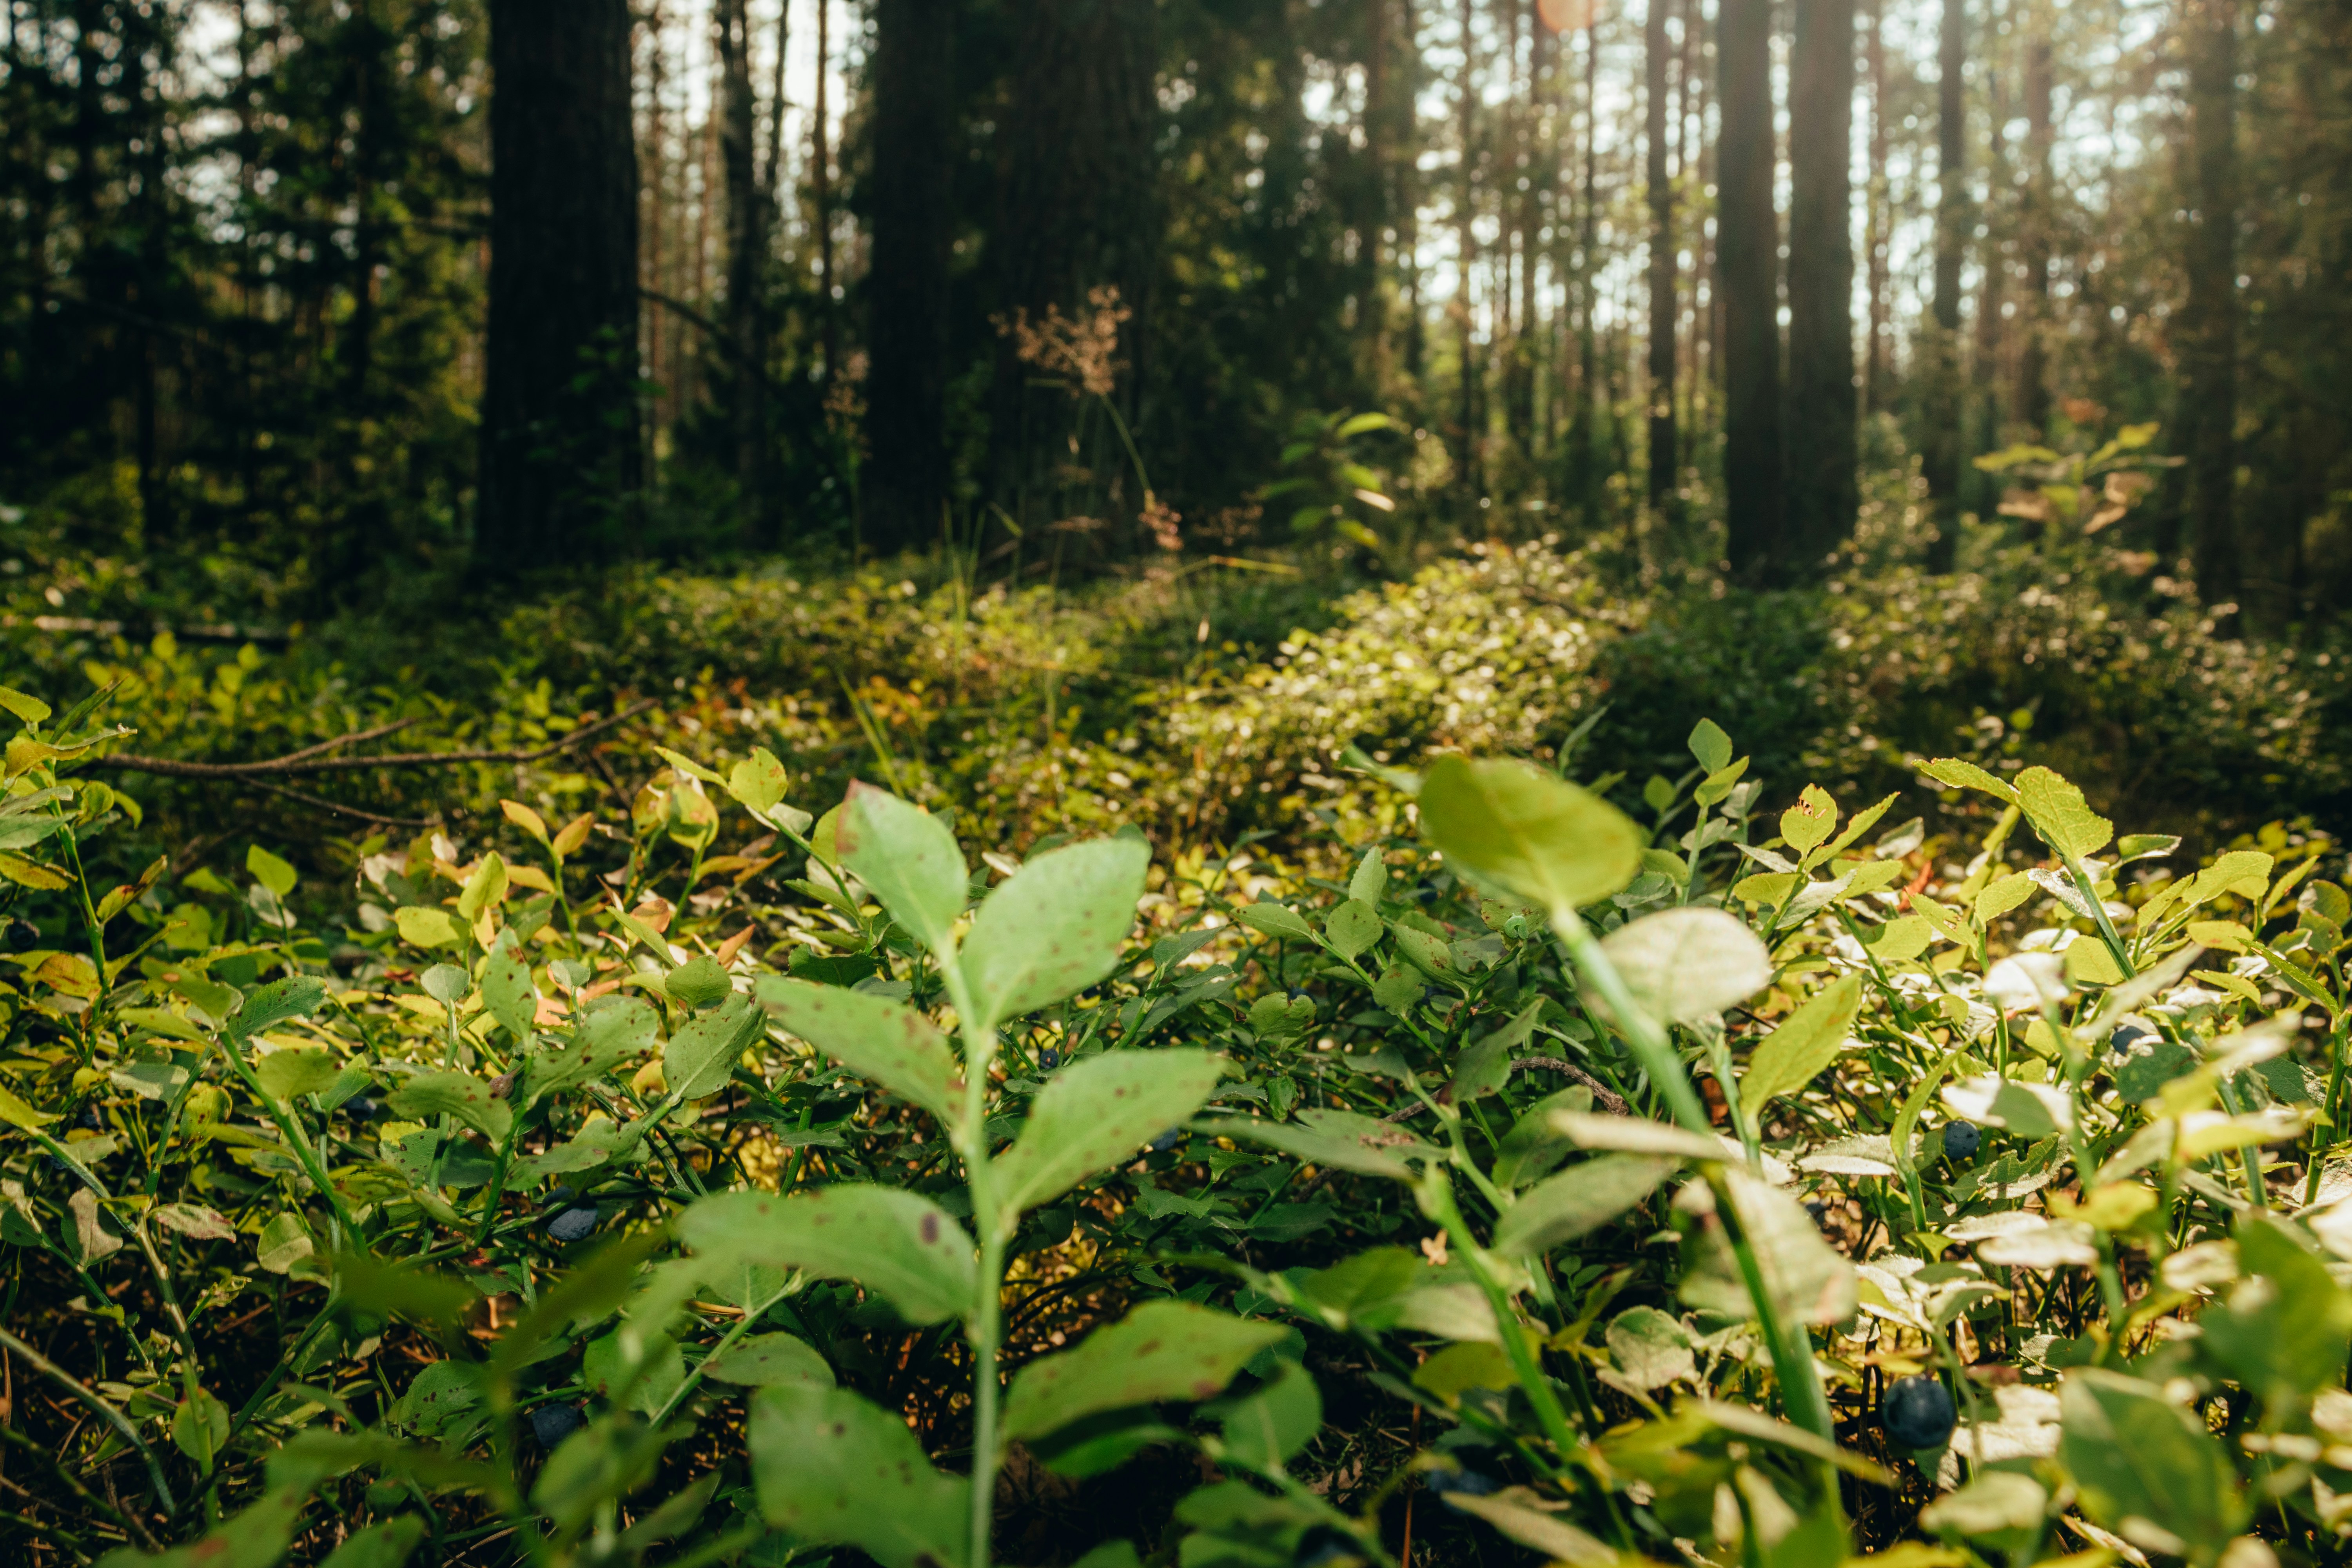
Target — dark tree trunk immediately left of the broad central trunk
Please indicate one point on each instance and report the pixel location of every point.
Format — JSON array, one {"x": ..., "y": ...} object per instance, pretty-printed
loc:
[{"x": 907, "y": 288}]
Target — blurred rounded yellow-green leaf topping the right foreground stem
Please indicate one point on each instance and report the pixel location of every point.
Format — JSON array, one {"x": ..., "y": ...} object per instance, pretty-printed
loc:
[{"x": 1528, "y": 833}]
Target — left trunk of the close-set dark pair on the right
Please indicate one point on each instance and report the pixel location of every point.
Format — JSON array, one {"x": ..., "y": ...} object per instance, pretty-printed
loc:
[{"x": 1749, "y": 255}]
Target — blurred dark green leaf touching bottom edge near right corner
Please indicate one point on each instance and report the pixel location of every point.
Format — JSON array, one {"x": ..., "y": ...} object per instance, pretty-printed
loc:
[{"x": 2146, "y": 1468}]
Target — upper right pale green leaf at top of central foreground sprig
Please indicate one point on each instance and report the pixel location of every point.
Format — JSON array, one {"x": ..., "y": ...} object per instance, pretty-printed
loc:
[{"x": 1053, "y": 930}]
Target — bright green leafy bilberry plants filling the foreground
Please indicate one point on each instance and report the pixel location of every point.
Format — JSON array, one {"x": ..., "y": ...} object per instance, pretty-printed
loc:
[{"x": 744, "y": 1172}]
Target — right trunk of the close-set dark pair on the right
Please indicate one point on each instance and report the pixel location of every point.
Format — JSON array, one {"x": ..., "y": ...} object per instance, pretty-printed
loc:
[{"x": 1822, "y": 403}]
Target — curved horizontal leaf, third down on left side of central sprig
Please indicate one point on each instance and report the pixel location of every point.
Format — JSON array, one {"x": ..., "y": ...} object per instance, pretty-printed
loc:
[{"x": 900, "y": 1245}]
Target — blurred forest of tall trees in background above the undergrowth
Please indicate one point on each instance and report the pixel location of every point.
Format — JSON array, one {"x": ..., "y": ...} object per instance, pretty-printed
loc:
[{"x": 359, "y": 288}]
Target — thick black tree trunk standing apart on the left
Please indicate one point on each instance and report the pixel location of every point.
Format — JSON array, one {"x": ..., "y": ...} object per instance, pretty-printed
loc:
[{"x": 561, "y": 410}]
